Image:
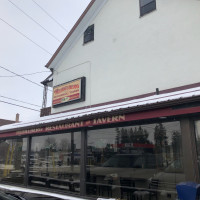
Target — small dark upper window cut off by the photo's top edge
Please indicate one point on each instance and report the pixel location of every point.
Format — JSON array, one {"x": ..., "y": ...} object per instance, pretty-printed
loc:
[{"x": 147, "y": 6}]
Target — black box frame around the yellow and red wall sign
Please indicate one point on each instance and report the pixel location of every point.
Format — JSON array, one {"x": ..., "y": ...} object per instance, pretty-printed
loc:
[{"x": 82, "y": 92}]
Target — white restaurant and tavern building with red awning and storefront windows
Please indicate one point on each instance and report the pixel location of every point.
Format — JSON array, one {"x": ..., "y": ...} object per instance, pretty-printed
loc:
[{"x": 125, "y": 106}]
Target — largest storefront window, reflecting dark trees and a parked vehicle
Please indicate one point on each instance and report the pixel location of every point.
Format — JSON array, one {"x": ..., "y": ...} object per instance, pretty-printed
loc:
[{"x": 135, "y": 161}]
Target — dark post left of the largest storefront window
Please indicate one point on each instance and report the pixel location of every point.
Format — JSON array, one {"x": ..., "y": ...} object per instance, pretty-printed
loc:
[{"x": 83, "y": 162}]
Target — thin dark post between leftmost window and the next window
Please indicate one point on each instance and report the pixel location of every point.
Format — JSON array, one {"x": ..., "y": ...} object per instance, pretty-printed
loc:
[{"x": 28, "y": 152}]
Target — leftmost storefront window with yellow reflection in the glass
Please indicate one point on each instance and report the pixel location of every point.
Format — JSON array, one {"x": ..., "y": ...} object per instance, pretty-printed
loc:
[{"x": 12, "y": 160}]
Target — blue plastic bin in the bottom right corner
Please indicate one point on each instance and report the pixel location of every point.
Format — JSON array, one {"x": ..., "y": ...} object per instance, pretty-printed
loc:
[{"x": 188, "y": 190}]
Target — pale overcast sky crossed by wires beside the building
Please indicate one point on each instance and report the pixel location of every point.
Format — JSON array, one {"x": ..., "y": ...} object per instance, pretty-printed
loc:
[{"x": 22, "y": 54}]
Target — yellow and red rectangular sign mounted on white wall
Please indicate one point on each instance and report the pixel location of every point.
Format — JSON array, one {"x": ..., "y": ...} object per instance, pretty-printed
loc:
[{"x": 70, "y": 92}]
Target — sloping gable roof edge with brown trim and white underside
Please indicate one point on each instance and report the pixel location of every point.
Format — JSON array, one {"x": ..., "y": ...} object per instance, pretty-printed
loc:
[{"x": 76, "y": 32}]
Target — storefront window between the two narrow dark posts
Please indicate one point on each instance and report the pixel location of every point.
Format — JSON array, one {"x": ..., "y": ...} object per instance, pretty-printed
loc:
[{"x": 55, "y": 161}]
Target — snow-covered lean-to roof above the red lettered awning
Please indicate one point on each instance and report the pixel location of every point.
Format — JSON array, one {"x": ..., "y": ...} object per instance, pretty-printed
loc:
[{"x": 136, "y": 105}]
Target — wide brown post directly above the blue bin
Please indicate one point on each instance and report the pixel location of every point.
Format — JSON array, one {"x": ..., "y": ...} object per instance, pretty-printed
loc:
[{"x": 189, "y": 150}]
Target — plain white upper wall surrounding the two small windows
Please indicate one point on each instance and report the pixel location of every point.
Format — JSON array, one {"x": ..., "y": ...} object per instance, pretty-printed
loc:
[{"x": 131, "y": 55}]
